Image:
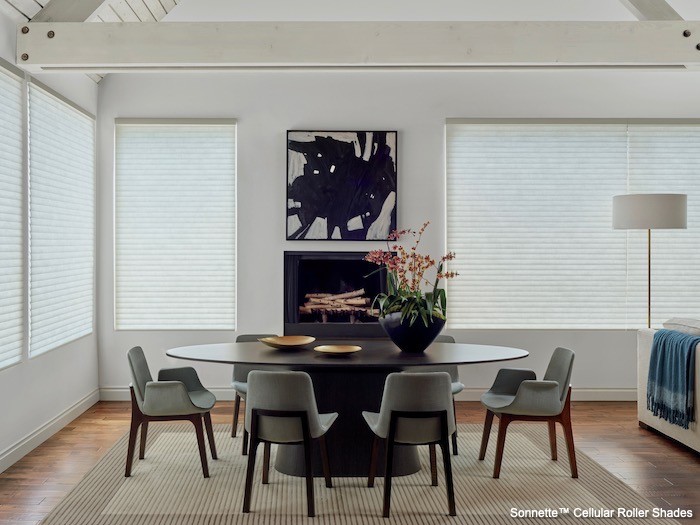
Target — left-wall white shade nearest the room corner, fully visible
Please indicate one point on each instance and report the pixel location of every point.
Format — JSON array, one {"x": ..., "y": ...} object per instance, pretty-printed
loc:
[{"x": 61, "y": 221}]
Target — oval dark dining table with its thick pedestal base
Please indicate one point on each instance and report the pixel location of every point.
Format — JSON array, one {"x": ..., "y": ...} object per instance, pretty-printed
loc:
[{"x": 348, "y": 384}]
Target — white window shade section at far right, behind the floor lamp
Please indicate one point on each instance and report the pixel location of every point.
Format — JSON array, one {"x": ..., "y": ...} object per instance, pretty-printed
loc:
[{"x": 665, "y": 158}]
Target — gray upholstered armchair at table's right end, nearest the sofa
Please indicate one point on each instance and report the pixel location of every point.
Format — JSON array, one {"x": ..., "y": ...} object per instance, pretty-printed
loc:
[{"x": 517, "y": 395}]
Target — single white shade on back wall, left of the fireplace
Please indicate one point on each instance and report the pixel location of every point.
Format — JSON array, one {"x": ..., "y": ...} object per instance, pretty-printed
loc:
[{"x": 175, "y": 259}]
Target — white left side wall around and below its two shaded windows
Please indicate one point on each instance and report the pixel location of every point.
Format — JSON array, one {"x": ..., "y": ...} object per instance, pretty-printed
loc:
[{"x": 41, "y": 395}]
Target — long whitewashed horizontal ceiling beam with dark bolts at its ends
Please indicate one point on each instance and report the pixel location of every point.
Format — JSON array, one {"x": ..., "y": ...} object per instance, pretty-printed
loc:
[{"x": 194, "y": 45}]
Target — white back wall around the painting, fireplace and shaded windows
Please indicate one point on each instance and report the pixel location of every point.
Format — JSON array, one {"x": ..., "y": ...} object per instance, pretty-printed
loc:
[{"x": 267, "y": 103}]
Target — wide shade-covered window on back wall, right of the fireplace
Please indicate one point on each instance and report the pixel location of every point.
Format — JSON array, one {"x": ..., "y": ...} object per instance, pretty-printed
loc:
[{"x": 529, "y": 209}]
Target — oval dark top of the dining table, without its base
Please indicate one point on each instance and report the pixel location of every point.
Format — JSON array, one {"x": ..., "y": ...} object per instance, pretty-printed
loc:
[{"x": 374, "y": 353}]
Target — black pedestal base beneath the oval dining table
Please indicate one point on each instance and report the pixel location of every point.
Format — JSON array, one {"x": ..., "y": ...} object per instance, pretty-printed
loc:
[{"x": 347, "y": 391}]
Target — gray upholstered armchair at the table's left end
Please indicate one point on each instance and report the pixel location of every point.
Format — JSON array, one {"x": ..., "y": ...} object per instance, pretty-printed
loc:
[{"x": 177, "y": 395}]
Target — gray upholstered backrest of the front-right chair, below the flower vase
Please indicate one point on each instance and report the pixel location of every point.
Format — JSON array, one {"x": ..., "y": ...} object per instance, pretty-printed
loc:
[{"x": 418, "y": 392}]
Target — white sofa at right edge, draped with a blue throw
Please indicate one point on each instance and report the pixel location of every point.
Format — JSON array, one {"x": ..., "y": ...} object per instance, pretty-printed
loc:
[{"x": 689, "y": 437}]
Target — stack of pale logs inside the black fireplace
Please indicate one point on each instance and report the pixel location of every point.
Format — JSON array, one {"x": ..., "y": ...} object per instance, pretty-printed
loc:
[{"x": 353, "y": 305}]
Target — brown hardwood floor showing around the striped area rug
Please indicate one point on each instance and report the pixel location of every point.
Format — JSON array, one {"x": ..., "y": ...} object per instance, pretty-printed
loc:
[{"x": 661, "y": 470}]
